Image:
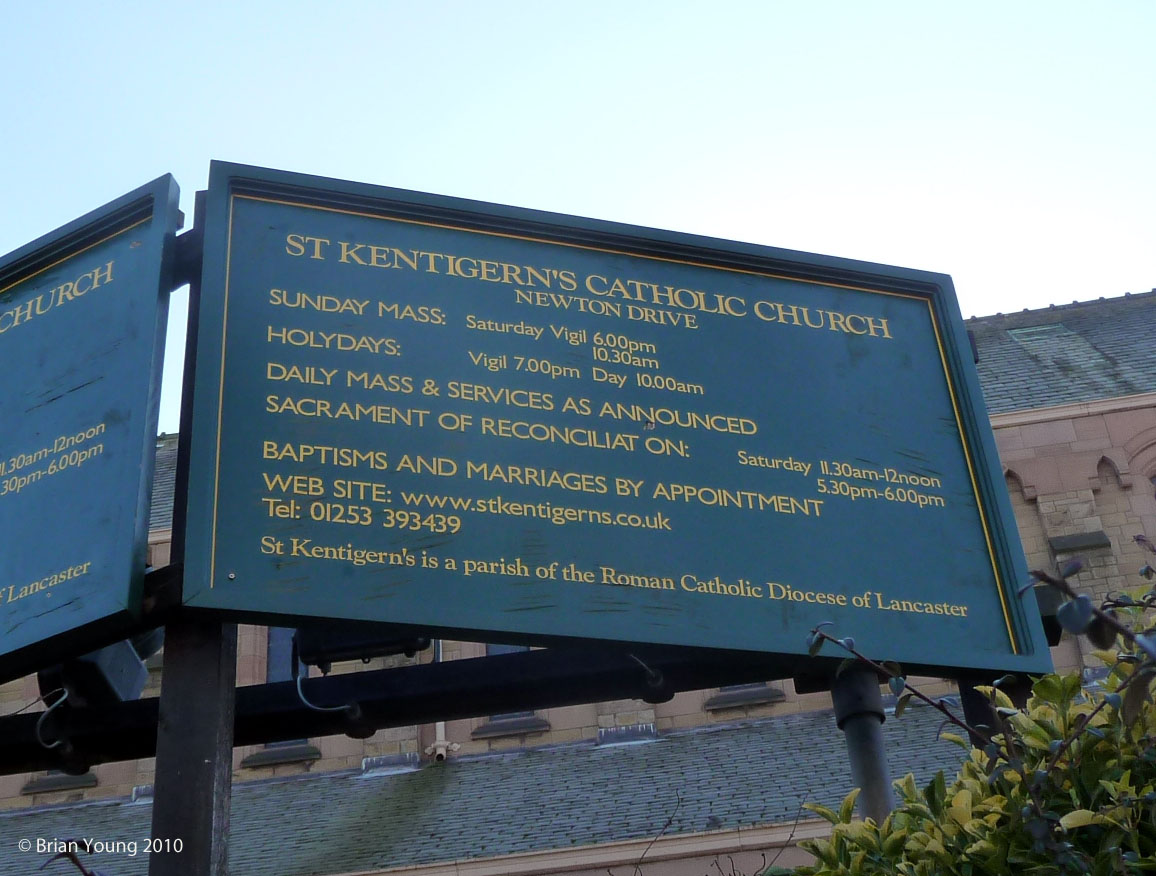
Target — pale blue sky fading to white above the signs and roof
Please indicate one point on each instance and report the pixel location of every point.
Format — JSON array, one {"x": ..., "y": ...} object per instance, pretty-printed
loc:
[{"x": 1010, "y": 145}]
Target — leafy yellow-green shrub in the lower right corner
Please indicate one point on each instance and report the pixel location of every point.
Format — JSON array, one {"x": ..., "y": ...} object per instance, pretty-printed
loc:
[{"x": 1066, "y": 785}]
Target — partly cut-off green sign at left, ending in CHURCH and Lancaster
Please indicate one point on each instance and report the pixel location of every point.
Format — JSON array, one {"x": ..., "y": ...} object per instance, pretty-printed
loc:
[{"x": 83, "y": 320}]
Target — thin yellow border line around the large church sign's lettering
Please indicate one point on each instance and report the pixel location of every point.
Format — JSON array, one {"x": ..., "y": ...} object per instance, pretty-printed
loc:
[{"x": 931, "y": 310}]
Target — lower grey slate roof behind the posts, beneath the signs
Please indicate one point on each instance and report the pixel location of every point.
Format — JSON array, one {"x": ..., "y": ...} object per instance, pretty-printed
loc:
[{"x": 727, "y": 777}]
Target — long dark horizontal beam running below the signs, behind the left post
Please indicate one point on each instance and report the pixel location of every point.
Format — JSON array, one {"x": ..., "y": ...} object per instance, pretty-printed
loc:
[{"x": 425, "y": 694}]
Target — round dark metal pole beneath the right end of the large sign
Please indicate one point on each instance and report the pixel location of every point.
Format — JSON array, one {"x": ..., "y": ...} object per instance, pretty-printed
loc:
[{"x": 859, "y": 715}]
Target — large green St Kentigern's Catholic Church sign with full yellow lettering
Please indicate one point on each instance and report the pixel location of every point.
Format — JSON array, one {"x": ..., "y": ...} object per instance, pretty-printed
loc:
[{"x": 520, "y": 426}]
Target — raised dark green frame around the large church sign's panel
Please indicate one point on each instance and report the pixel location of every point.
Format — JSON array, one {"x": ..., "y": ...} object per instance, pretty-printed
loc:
[{"x": 1027, "y": 652}]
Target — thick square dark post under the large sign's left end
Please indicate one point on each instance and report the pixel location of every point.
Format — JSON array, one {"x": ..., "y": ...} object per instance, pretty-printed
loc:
[{"x": 195, "y": 749}]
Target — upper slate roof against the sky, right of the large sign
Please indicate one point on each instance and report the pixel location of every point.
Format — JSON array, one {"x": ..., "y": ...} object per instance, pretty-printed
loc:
[{"x": 1071, "y": 353}]
